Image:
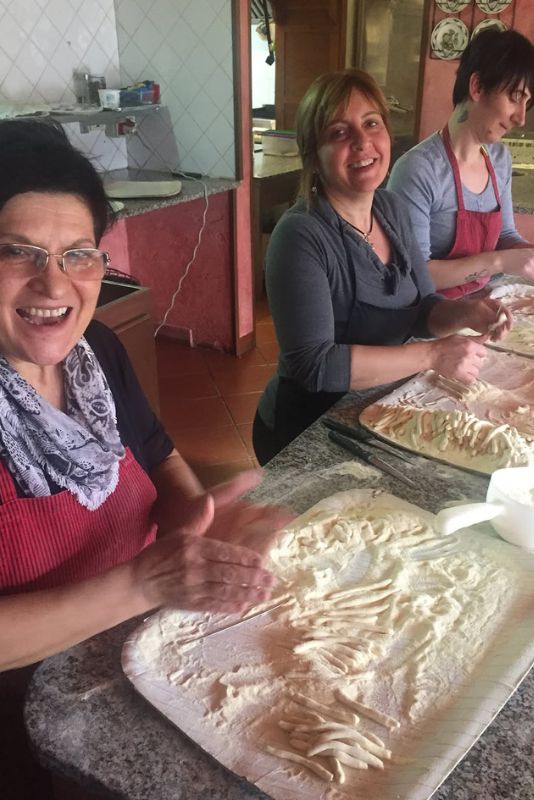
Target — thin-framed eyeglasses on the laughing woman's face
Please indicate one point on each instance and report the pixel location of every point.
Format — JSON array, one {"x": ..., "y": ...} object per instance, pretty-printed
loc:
[{"x": 26, "y": 260}]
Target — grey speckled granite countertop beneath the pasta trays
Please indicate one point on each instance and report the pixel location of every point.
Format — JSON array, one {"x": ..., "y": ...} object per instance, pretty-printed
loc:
[{"x": 86, "y": 721}]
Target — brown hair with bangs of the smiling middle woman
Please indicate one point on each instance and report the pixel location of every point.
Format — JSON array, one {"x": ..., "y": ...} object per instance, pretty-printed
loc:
[{"x": 319, "y": 107}]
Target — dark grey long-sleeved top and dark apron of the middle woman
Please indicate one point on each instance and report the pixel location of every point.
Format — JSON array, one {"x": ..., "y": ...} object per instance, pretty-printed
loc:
[{"x": 317, "y": 268}]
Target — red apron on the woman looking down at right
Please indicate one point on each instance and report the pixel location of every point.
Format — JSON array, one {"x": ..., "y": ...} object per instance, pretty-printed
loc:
[{"x": 476, "y": 231}]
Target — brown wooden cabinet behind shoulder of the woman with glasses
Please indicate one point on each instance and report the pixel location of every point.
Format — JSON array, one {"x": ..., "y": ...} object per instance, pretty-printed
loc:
[{"x": 126, "y": 310}]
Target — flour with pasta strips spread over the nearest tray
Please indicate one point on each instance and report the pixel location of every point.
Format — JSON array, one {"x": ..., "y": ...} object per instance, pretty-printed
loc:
[{"x": 377, "y": 625}]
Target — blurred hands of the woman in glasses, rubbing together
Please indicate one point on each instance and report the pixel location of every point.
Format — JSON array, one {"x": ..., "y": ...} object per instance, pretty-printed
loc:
[{"x": 212, "y": 570}]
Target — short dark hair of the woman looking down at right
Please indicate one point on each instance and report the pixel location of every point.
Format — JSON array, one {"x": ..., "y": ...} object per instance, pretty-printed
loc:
[{"x": 502, "y": 60}]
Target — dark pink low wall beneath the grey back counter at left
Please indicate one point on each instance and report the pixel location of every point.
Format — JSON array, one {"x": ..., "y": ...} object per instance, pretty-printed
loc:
[{"x": 157, "y": 246}]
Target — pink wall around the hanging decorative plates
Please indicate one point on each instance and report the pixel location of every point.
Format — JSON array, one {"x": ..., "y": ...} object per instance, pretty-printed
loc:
[{"x": 438, "y": 76}]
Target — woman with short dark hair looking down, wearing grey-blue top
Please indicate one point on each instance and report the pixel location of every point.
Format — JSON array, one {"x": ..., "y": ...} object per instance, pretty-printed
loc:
[{"x": 457, "y": 182}]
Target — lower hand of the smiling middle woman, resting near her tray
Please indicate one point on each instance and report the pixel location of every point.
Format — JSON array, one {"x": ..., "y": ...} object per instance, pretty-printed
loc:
[{"x": 458, "y": 357}]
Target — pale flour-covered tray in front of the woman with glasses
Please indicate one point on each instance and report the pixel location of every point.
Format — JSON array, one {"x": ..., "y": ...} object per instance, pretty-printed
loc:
[{"x": 193, "y": 667}]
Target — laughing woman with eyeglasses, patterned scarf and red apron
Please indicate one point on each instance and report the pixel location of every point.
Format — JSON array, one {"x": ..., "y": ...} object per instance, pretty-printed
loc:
[{"x": 100, "y": 518}]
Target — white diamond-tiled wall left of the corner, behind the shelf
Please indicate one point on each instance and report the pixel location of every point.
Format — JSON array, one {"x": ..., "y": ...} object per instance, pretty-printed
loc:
[{"x": 42, "y": 42}]
